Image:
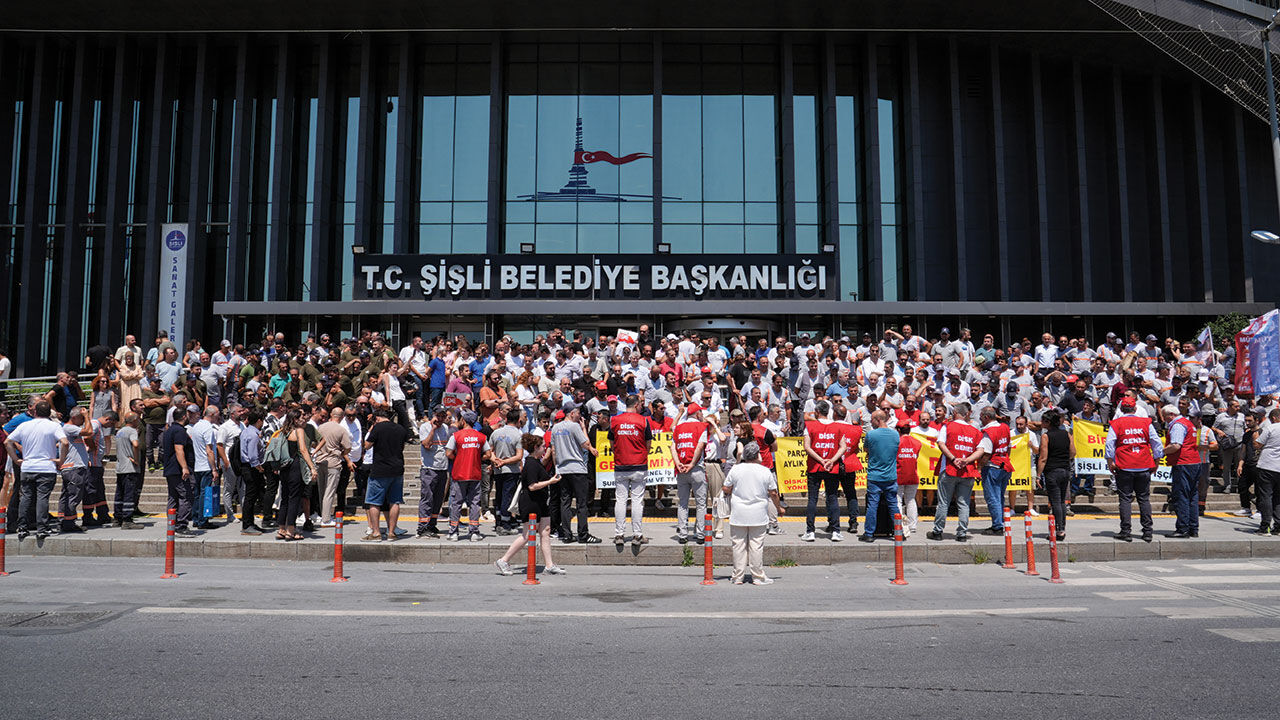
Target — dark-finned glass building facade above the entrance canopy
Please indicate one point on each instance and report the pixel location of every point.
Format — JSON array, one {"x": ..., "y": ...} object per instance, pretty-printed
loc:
[{"x": 291, "y": 153}]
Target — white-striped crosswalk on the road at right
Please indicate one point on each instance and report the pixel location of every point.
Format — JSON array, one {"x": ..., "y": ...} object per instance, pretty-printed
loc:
[{"x": 1246, "y": 590}]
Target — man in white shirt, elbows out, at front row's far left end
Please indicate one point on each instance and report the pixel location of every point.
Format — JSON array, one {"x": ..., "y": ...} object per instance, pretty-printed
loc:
[{"x": 38, "y": 449}]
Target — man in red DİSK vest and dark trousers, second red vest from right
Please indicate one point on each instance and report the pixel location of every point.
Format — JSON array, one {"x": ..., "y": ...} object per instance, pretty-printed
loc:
[{"x": 1133, "y": 449}]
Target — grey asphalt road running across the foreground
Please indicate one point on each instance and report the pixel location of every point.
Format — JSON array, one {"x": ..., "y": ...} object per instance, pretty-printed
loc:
[{"x": 108, "y": 639}]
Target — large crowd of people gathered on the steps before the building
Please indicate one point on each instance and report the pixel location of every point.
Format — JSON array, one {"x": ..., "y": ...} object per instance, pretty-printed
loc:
[{"x": 281, "y": 434}]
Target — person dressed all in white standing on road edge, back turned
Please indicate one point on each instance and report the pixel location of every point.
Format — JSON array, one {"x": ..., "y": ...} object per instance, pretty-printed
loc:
[{"x": 751, "y": 489}]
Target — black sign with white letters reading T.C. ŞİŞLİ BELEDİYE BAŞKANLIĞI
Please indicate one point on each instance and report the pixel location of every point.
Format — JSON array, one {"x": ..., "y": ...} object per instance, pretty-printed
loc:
[{"x": 596, "y": 277}]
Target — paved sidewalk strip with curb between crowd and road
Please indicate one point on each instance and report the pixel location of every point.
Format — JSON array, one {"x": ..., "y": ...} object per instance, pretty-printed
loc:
[{"x": 1090, "y": 539}]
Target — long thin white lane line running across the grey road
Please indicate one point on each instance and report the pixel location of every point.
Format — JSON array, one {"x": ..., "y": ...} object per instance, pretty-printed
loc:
[{"x": 642, "y": 614}]
